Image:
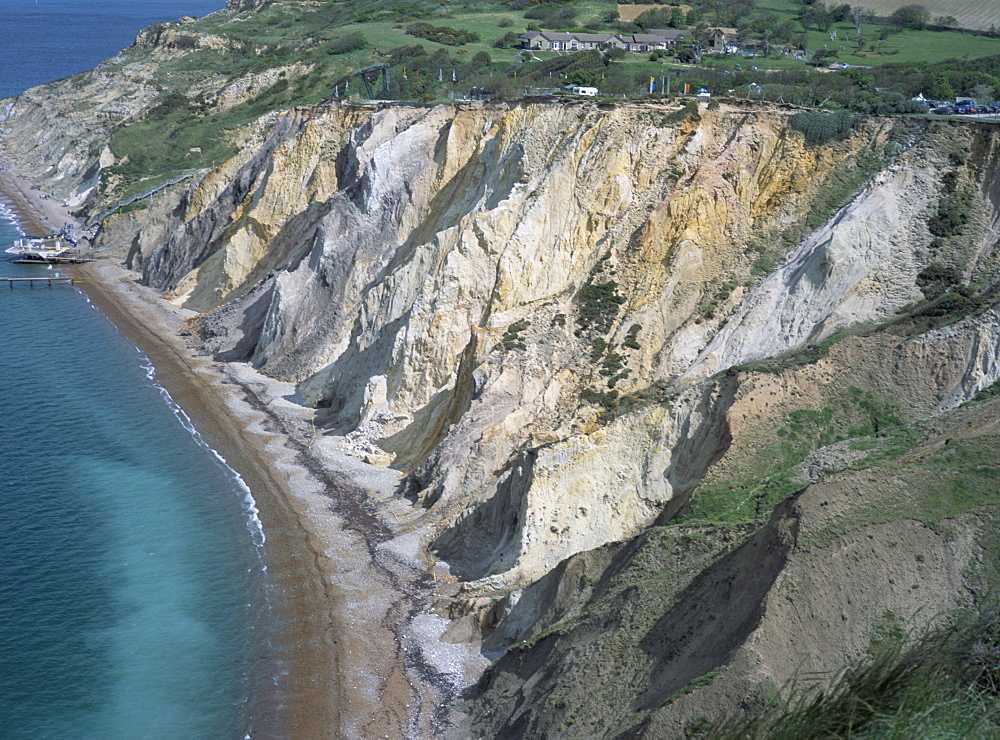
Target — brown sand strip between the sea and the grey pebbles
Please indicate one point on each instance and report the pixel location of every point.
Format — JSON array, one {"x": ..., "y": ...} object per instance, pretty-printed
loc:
[{"x": 303, "y": 602}]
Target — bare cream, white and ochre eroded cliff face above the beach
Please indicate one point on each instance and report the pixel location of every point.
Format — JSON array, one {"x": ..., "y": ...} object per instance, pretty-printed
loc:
[{"x": 455, "y": 288}]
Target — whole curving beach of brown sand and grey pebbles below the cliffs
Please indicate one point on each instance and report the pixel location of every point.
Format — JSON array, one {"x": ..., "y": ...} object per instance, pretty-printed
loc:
[{"x": 359, "y": 652}]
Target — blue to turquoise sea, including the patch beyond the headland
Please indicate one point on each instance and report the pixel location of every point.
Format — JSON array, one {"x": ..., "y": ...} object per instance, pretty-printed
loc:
[{"x": 131, "y": 571}]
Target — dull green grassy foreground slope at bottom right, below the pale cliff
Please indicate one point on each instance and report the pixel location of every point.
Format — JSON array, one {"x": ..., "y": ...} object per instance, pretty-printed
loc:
[{"x": 652, "y": 627}]
